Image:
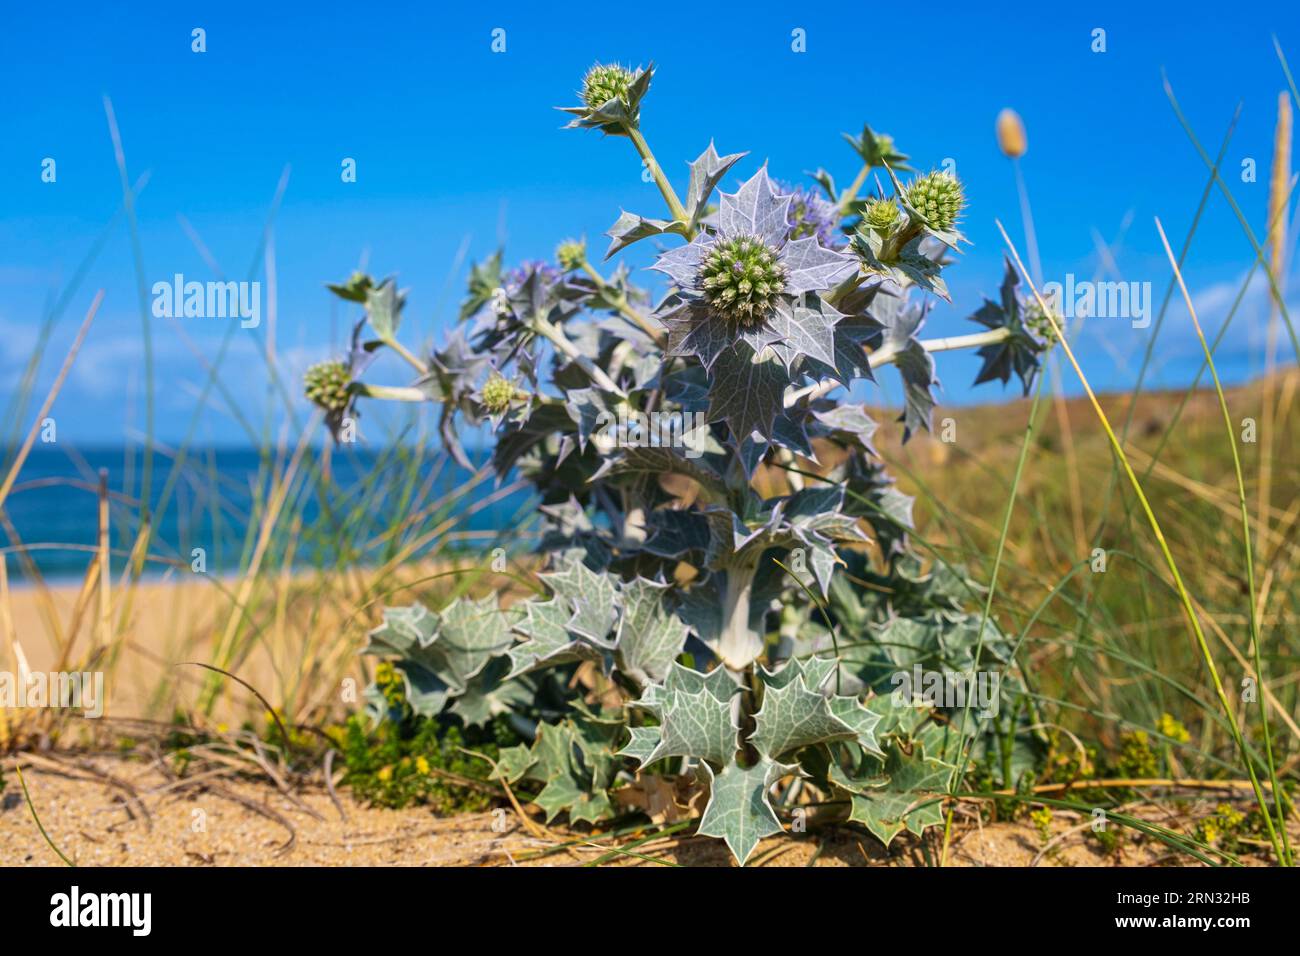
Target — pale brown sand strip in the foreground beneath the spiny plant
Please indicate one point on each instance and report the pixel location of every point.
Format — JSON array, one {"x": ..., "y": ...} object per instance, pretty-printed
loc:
[{"x": 105, "y": 811}]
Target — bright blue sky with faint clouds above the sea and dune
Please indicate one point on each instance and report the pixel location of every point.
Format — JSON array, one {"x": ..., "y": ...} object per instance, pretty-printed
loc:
[{"x": 460, "y": 149}]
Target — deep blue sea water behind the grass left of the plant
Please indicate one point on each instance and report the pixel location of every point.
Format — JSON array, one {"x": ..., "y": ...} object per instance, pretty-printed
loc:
[{"x": 214, "y": 505}]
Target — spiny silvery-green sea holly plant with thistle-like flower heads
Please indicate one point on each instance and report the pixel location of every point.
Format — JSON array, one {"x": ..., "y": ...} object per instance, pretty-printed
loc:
[{"x": 730, "y": 592}]
